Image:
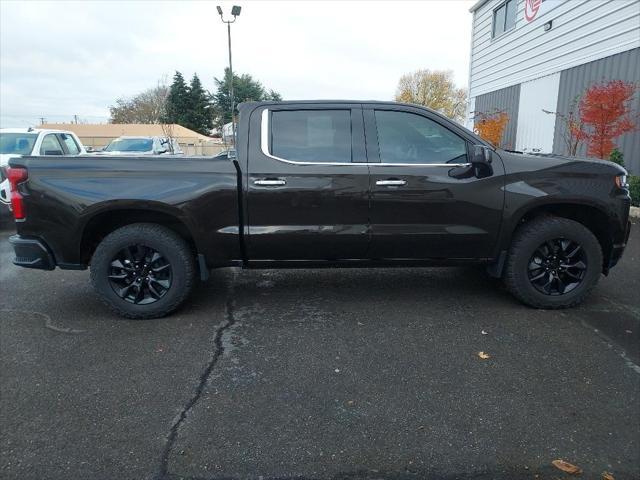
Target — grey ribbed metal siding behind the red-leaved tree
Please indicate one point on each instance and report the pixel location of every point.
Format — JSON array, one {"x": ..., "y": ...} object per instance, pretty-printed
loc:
[{"x": 574, "y": 81}]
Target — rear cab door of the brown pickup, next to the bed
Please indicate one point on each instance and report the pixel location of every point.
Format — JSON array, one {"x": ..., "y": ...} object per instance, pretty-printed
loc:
[{"x": 307, "y": 183}]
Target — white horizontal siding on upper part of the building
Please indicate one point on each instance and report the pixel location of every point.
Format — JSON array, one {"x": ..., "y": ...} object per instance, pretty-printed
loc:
[{"x": 583, "y": 31}]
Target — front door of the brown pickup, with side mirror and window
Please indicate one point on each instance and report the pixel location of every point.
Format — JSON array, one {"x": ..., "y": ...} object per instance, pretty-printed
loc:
[{"x": 427, "y": 200}]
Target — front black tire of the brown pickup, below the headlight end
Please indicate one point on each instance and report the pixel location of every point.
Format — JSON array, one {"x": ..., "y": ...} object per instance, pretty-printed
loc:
[{"x": 520, "y": 270}]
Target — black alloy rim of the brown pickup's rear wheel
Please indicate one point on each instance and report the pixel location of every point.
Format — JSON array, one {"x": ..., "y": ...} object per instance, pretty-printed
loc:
[{"x": 140, "y": 274}]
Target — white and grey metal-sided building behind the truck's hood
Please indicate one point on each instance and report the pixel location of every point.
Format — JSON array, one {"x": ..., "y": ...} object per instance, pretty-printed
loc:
[{"x": 533, "y": 55}]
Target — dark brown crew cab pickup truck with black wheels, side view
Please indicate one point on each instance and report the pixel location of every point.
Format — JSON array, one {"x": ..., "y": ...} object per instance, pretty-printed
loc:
[{"x": 323, "y": 184}]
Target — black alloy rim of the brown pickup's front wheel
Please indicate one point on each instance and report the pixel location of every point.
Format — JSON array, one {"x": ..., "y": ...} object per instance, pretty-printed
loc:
[{"x": 557, "y": 266}]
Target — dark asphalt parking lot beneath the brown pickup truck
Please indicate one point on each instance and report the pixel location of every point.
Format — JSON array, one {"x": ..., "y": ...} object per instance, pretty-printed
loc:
[{"x": 319, "y": 374}]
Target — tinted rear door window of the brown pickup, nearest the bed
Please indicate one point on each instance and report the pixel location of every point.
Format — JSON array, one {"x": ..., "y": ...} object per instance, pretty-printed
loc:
[{"x": 311, "y": 135}]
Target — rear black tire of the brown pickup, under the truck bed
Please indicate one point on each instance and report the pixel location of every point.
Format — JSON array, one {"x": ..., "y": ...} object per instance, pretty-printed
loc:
[{"x": 139, "y": 238}]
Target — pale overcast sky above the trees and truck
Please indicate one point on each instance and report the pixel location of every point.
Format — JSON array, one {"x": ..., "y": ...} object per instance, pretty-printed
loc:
[{"x": 58, "y": 58}]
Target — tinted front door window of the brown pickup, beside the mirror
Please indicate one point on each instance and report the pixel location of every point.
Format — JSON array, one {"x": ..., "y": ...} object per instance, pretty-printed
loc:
[{"x": 409, "y": 138}]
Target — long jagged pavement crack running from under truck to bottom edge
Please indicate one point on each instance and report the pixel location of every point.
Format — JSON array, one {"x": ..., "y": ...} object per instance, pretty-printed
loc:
[{"x": 162, "y": 472}]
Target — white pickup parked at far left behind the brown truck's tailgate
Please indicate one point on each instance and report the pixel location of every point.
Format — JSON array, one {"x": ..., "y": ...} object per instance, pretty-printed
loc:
[{"x": 16, "y": 142}]
